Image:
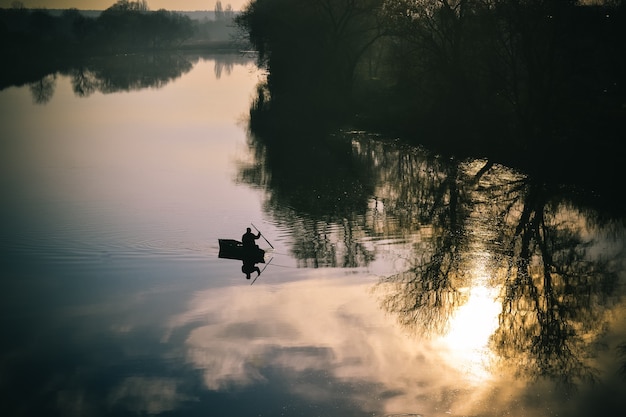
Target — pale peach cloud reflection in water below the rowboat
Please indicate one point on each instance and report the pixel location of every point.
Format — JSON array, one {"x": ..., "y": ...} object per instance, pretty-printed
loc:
[{"x": 320, "y": 327}]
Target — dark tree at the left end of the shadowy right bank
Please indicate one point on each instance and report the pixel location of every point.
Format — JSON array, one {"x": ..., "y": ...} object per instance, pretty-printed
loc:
[{"x": 312, "y": 47}]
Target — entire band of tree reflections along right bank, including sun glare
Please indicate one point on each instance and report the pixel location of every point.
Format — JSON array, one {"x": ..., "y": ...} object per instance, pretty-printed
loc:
[{"x": 534, "y": 269}]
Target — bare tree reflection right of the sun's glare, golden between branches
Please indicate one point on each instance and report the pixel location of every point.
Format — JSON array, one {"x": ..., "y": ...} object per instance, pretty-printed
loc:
[{"x": 557, "y": 288}]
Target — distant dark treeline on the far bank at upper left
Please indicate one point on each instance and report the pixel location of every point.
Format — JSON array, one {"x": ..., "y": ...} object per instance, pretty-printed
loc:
[{"x": 126, "y": 26}]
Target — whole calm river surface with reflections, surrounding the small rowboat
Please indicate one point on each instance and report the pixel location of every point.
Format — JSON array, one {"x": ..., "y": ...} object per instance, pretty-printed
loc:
[{"x": 398, "y": 282}]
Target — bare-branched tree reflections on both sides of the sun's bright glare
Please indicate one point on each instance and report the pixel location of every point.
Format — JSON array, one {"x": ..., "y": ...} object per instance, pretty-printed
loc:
[{"x": 555, "y": 287}]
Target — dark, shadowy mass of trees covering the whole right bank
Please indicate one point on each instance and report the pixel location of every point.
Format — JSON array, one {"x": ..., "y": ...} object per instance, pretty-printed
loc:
[{"x": 537, "y": 79}]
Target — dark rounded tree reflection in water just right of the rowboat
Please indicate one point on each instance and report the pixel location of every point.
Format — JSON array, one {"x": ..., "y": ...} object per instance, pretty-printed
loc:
[{"x": 318, "y": 190}]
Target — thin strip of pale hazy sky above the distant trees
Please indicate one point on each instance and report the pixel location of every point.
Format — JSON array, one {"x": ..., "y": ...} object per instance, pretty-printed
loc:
[{"x": 103, "y": 4}]
